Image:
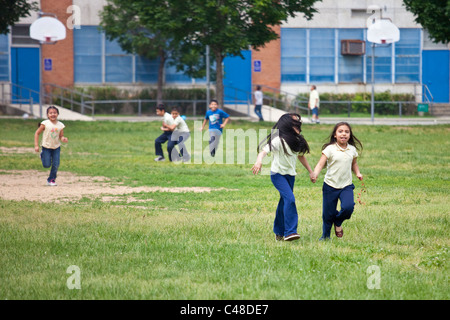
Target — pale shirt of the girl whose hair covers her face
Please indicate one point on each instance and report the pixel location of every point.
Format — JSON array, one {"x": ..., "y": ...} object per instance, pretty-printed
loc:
[{"x": 282, "y": 163}]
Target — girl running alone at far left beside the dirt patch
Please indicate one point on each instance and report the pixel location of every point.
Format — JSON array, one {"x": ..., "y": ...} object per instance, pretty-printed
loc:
[{"x": 51, "y": 143}]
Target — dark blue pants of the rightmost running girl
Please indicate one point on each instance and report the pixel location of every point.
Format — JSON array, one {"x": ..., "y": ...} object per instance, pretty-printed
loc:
[{"x": 330, "y": 215}]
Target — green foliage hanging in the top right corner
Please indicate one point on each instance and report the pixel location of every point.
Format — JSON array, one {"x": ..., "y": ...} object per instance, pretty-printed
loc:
[{"x": 433, "y": 15}]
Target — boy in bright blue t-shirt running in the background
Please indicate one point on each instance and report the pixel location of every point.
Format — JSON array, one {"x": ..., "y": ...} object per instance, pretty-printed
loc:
[{"x": 216, "y": 117}]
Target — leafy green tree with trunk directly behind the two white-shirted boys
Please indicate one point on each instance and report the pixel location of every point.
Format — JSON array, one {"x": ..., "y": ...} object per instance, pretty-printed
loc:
[{"x": 147, "y": 28}]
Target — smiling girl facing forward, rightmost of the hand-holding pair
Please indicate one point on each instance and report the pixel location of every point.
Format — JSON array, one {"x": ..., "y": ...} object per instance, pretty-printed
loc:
[{"x": 340, "y": 155}]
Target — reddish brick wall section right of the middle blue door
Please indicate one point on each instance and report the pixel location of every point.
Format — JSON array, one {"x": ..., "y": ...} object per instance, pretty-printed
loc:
[{"x": 270, "y": 56}]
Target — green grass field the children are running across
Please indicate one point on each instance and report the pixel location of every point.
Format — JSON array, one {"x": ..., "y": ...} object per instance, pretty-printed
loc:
[{"x": 220, "y": 245}]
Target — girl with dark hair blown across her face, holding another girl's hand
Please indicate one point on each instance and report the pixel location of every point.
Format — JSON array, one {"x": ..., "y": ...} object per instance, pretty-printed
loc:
[{"x": 287, "y": 145}]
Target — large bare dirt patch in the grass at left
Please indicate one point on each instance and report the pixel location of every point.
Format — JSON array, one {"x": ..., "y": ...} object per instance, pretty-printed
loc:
[{"x": 31, "y": 185}]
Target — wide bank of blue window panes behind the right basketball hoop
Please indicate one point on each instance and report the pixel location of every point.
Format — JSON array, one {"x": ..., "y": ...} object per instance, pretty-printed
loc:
[{"x": 314, "y": 55}]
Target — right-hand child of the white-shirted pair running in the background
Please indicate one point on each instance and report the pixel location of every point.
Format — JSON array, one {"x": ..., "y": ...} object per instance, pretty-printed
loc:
[{"x": 180, "y": 133}]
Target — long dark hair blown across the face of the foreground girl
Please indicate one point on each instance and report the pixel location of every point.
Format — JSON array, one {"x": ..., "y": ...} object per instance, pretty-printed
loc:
[{"x": 284, "y": 129}]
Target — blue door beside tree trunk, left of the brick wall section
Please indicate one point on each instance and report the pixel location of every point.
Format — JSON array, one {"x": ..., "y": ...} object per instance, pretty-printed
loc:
[{"x": 237, "y": 79}]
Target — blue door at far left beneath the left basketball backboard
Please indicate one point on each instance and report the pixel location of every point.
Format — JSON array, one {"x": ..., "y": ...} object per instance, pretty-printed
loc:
[{"x": 25, "y": 73}]
